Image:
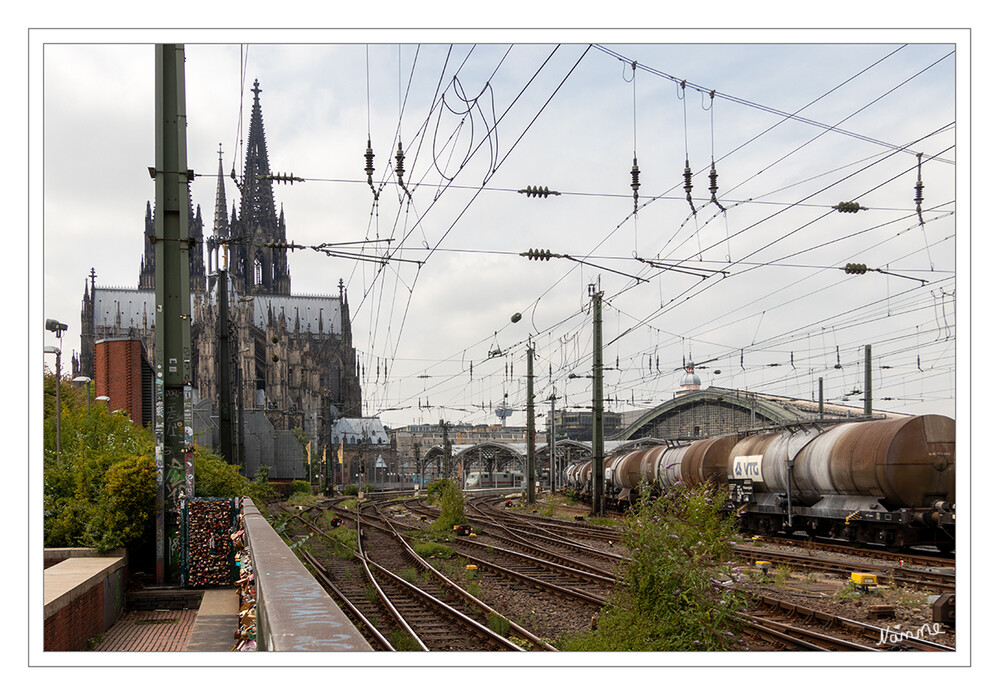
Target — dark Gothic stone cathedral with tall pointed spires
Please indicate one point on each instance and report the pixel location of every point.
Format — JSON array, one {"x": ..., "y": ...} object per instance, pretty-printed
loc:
[{"x": 292, "y": 356}]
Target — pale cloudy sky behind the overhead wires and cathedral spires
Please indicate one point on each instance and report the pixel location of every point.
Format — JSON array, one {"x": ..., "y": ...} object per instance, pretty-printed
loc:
[{"x": 757, "y": 298}]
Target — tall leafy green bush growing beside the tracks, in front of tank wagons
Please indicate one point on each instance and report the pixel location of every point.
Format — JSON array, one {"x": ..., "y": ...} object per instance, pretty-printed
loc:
[{"x": 674, "y": 595}]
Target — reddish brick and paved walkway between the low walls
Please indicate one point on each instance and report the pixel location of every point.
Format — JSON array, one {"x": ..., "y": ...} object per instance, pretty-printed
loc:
[{"x": 208, "y": 629}]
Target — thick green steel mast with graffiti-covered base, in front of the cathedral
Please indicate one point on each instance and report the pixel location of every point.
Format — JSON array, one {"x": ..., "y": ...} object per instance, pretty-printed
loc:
[{"x": 173, "y": 422}]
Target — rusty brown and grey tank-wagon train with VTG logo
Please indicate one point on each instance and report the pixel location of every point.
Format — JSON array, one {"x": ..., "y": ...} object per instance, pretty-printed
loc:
[{"x": 888, "y": 482}]
